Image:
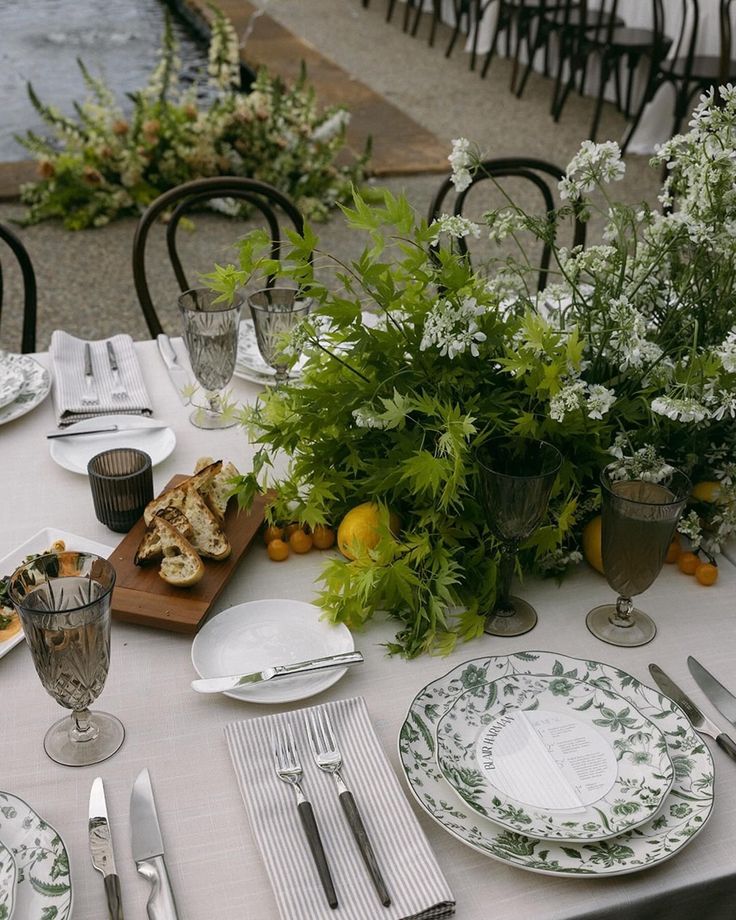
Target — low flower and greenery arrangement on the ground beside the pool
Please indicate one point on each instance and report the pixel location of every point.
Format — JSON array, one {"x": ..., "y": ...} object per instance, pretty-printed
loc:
[{"x": 107, "y": 162}]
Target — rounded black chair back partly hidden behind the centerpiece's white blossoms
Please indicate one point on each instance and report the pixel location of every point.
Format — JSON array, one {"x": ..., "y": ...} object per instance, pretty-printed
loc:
[{"x": 537, "y": 172}]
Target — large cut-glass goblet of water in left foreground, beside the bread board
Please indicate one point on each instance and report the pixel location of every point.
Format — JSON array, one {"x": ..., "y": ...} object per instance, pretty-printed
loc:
[{"x": 64, "y": 604}]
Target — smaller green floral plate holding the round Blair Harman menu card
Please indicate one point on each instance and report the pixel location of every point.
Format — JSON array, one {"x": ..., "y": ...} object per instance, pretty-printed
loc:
[{"x": 554, "y": 758}]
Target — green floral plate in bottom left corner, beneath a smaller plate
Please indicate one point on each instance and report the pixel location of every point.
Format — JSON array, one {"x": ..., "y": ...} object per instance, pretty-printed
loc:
[{"x": 44, "y": 888}]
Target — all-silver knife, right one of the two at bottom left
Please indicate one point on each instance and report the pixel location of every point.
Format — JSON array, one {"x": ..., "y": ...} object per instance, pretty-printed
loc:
[{"x": 148, "y": 849}]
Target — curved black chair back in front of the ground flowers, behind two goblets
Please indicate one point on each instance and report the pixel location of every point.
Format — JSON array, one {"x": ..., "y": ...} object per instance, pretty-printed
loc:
[{"x": 178, "y": 201}]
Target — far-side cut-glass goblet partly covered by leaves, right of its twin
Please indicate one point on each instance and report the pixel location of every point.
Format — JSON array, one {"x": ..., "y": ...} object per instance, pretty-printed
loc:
[{"x": 275, "y": 312}]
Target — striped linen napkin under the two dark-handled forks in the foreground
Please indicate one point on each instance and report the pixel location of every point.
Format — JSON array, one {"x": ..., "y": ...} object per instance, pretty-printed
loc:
[{"x": 415, "y": 883}]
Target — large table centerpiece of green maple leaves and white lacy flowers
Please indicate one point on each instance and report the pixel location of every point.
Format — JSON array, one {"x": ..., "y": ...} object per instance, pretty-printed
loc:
[{"x": 629, "y": 355}]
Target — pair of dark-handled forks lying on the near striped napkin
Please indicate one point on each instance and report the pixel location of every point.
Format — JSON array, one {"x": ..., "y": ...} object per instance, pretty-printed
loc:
[{"x": 328, "y": 758}]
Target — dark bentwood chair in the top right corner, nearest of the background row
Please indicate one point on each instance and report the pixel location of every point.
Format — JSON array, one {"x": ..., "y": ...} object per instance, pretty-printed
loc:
[{"x": 686, "y": 71}]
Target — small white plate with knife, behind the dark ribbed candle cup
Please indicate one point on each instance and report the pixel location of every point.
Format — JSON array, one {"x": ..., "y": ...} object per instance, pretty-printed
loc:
[{"x": 75, "y": 453}]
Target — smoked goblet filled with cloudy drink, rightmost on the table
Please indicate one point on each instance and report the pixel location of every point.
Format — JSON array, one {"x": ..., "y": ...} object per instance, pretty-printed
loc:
[{"x": 638, "y": 522}]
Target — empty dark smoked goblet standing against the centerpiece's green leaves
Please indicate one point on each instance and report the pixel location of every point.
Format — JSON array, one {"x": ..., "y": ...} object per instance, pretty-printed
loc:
[{"x": 517, "y": 475}]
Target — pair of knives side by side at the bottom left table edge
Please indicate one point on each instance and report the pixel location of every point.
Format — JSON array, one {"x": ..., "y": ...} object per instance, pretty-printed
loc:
[{"x": 146, "y": 843}]
